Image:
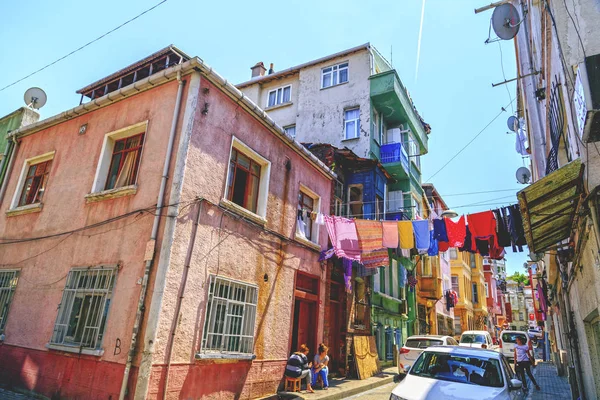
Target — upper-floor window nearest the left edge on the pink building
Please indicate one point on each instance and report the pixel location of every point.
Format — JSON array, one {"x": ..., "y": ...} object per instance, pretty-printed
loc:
[{"x": 33, "y": 180}]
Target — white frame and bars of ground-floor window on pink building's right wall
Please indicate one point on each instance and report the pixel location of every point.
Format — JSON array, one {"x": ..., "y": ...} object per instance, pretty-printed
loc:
[{"x": 248, "y": 306}]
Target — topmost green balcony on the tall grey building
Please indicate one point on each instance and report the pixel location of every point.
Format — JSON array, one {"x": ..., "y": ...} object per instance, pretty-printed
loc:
[{"x": 391, "y": 100}]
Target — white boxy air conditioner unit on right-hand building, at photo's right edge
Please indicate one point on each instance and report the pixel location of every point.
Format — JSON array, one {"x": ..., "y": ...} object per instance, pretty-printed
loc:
[{"x": 586, "y": 99}]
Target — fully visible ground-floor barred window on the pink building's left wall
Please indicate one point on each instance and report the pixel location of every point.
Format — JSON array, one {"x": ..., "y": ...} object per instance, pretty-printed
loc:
[{"x": 83, "y": 310}]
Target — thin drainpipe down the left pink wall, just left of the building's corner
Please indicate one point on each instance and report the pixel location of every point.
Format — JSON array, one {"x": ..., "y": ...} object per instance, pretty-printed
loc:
[{"x": 154, "y": 234}]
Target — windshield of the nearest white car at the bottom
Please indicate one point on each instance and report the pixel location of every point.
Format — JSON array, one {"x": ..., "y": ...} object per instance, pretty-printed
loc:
[{"x": 473, "y": 370}]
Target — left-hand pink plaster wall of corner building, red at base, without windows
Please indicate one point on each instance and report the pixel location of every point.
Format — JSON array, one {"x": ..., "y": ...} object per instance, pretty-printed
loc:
[{"x": 44, "y": 264}]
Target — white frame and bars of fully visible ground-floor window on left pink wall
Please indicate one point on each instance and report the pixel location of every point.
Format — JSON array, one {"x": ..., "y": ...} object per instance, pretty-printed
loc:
[{"x": 100, "y": 295}]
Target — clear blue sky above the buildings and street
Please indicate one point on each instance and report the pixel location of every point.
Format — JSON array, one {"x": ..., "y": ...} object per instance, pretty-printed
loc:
[{"x": 453, "y": 92}]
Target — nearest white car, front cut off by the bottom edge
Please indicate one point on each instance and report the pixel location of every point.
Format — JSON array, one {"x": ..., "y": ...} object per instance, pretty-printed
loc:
[{"x": 460, "y": 373}]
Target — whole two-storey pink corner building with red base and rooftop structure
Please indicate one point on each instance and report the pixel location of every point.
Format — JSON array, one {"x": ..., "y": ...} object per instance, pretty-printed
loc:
[{"x": 150, "y": 241}]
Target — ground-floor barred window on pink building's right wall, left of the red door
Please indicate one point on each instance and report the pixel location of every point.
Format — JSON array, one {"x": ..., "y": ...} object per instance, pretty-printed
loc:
[{"x": 230, "y": 317}]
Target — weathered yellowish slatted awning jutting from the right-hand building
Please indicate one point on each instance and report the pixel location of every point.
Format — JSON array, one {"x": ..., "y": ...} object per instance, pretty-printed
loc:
[{"x": 548, "y": 206}]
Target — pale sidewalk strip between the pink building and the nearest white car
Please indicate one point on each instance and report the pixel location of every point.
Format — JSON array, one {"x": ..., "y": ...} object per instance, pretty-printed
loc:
[{"x": 341, "y": 388}]
